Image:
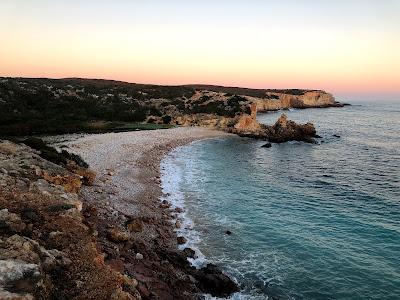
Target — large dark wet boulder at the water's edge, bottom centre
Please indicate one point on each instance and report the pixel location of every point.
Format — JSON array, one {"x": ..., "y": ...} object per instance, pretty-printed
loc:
[{"x": 211, "y": 280}]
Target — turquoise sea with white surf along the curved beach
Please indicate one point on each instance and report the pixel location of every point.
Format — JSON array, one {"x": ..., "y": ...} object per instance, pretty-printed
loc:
[{"x": 307, "y": 221}]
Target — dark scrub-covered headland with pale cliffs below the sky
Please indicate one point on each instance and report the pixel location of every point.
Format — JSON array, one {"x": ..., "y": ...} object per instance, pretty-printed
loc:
[{"x": 35, "y": 106}]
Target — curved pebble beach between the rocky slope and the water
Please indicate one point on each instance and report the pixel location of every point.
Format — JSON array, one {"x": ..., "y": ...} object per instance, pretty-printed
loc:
[{"x": 127, "y": 196}]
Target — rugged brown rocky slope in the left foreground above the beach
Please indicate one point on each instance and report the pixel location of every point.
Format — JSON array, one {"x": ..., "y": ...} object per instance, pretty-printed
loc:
[{"x": 47, "y": 250}]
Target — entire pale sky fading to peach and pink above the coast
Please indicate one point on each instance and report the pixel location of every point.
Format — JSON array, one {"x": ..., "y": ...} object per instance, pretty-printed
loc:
[{"x": 348, "y": 47}]
